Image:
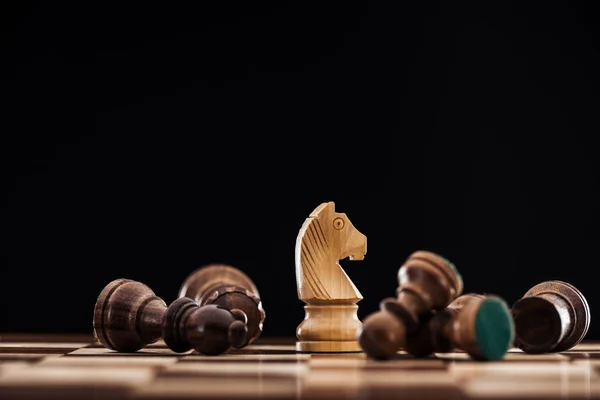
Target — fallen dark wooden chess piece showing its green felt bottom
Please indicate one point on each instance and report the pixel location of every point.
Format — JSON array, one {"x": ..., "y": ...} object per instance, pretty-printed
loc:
[{"x": 482, "y": 326}]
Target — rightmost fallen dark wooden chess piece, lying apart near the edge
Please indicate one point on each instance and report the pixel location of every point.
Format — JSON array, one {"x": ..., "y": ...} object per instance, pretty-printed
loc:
[{"x": 553, "y": 316}]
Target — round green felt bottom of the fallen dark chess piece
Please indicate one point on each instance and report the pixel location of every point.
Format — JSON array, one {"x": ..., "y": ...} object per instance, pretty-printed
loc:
[{"x": 494, "y": 329}]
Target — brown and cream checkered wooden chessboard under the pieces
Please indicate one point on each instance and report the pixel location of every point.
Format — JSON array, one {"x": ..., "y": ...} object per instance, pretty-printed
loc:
[{"x": 77, "y": 367}]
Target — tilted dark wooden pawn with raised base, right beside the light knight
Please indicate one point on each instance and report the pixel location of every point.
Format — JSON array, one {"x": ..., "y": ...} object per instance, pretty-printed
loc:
[{"x": 427, "y": 282}]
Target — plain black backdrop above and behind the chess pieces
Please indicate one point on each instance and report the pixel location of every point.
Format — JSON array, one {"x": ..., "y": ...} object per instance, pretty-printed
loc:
[{"x": 144, "y": 141}]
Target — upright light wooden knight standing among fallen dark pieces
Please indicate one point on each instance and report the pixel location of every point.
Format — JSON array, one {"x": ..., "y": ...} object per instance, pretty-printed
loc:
[{"x": 331, "y": 322}]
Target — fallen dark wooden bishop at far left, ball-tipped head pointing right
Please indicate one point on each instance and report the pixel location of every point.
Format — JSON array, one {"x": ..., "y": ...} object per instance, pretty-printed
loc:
[{"x": 128, "y": 316}]
